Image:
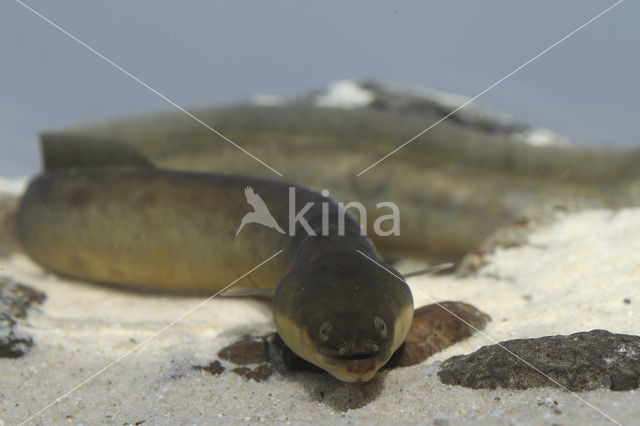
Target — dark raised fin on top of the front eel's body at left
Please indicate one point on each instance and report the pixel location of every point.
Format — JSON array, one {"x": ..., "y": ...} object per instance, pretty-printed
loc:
[{"x": 71, "y": 151}]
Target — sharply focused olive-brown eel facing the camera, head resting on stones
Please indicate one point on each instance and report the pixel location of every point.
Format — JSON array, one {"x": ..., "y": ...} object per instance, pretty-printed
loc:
[{"x": 109, "y": 216}]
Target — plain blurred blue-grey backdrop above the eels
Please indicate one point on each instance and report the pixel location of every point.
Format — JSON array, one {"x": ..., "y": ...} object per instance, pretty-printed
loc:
[{"x": 210, "y": 53}]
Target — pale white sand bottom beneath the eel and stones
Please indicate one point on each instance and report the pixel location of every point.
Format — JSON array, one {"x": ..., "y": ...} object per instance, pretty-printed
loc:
[{"x": 572, "y": 277}]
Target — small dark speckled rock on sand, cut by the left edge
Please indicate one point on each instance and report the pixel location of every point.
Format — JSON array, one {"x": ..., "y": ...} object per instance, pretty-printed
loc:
[{"x": 15, "y": 300}]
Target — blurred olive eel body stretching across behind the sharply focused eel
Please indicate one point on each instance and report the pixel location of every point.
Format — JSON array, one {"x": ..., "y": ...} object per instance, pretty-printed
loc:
[{"x": 454, "y": 185}]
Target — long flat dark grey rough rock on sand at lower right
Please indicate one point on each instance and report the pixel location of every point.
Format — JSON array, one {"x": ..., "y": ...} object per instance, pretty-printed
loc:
[{"x": 578, "y": 362}]
